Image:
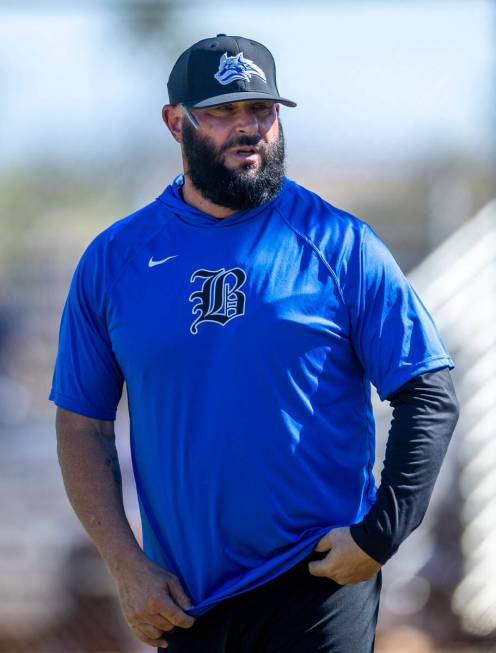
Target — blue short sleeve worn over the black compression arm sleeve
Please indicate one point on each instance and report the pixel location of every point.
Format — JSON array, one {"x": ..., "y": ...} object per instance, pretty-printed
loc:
[{"x": 393, "y": 334}]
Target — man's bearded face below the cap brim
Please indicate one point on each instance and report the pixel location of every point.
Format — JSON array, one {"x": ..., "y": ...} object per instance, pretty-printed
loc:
[{"x": 236, "y": 158}]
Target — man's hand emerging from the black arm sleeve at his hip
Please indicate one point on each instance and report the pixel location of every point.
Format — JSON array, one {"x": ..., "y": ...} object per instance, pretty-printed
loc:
[{"x": 346, "y": 562}]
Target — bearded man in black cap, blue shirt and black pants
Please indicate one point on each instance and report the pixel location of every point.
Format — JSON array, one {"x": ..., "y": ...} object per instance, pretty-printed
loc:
[{"x": 247, "y": 317}]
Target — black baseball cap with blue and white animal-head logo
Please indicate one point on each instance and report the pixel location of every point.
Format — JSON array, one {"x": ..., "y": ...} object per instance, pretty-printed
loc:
[{"x": 221, "y": 70}]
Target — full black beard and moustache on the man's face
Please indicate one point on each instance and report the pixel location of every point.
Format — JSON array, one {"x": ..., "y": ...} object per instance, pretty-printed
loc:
[{"x": 238, "y": 189}]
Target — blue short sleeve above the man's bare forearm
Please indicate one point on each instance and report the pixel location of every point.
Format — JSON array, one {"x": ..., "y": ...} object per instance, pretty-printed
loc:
[{"x": 87, "y": 378}]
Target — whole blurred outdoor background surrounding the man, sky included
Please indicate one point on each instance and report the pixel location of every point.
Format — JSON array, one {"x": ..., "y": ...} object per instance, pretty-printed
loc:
[{"x": 396, "y": 123}]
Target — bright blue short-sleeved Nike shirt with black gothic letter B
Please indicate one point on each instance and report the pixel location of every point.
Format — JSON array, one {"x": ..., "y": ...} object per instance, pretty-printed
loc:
[{"x": 247, "y": 345}]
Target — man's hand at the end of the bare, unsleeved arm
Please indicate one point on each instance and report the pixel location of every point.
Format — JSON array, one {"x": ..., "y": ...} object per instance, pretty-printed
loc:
[{"x": 151, "y": 600}]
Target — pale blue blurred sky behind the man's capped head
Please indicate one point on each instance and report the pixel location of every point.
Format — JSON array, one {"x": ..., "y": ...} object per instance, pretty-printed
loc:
[{"x": 381, "y": 80}]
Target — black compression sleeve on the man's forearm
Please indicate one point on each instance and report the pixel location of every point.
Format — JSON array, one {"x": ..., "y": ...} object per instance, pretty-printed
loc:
[{"x": 425, "y": 412}]
